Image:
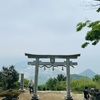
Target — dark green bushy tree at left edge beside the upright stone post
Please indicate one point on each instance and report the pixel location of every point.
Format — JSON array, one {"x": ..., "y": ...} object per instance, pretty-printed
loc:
[{"x": 9, "y": 77}]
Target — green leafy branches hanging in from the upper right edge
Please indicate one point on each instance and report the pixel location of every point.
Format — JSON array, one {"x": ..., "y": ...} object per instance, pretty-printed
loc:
[{"x": 93, "y": 35}]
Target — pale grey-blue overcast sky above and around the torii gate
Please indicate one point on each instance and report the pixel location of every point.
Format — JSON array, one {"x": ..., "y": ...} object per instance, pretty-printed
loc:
[{"x": 46, "y": 27}]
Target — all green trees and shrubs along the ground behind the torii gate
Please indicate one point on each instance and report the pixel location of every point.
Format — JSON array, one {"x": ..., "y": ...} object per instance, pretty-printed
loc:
[{"x": 55, "y": 84}]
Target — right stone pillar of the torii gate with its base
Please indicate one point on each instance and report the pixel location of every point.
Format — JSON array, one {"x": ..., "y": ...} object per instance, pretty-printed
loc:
[{"x": 68, "y": 96}]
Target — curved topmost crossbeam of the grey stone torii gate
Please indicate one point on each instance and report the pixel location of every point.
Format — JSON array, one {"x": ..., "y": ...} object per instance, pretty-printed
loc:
[{"x": 74, "y": 56}]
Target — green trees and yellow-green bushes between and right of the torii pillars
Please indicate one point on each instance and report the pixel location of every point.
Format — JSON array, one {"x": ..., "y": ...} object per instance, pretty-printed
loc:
[{"x": 77, "y": 85}]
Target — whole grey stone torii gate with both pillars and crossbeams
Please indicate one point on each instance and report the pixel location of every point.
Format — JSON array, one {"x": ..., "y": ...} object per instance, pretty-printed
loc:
[{"x": 67, "y": 63}]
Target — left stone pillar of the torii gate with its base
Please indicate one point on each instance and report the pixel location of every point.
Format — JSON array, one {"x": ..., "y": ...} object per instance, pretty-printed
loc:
[{"x": 35, "y": 96}]
